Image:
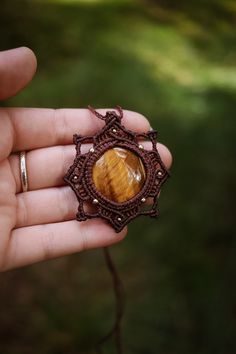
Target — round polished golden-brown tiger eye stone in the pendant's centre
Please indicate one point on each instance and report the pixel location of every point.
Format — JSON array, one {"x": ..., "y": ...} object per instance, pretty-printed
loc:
[{"x": 119, "y": 174}]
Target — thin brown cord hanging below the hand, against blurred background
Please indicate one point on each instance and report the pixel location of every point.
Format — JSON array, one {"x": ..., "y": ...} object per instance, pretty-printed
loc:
[{"x": 119, "y": 297}]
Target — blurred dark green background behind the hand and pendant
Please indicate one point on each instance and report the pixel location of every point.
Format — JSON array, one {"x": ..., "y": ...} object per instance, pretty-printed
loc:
[{"x": 175, "y": 62}]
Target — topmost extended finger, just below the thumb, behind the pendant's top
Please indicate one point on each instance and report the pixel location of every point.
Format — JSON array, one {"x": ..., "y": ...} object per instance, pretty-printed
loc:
[{"x": 36, "y": 128}]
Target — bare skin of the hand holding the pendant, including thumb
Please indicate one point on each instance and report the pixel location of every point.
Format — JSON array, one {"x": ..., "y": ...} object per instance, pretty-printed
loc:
[{"x": 40, "y": 224}]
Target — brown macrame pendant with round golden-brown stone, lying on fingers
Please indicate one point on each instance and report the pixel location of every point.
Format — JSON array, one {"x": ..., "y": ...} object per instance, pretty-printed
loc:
[{"x": 117, "y": 176}]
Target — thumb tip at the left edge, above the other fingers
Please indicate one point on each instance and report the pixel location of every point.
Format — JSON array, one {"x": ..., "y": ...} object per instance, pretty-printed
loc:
[{"x": 17, "y": 67}]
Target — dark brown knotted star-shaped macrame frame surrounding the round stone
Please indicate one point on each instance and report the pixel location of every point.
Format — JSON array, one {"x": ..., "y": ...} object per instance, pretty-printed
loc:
[{"x": 79, "y": 175}]
